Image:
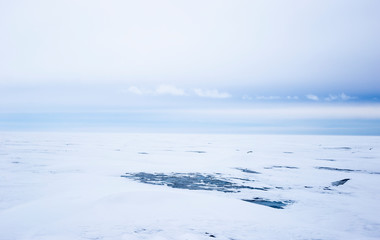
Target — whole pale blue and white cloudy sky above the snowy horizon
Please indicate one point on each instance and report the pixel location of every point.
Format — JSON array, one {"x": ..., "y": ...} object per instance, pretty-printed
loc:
[{"x": 295, "y": 67}]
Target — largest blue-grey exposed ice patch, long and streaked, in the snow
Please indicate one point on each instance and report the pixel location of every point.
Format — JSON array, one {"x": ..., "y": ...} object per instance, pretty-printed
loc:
[{"x": 190, "y": 181}]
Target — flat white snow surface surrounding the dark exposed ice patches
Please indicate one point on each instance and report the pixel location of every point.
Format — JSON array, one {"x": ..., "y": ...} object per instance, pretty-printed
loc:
[{"x": 57, "y": 186}]
